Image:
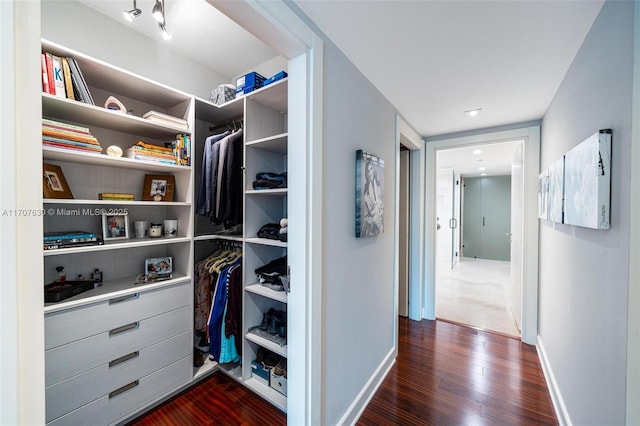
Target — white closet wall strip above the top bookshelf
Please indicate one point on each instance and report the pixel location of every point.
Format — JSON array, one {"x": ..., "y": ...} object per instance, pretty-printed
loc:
[{"x": 77, "y": 26}]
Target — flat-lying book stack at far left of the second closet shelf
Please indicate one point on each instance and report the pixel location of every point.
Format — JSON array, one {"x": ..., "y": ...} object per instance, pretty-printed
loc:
[{"x": 64, "y": 135}]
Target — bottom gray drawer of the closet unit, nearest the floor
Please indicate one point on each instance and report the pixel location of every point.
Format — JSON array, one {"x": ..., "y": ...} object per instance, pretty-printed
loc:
[{"x": 123, "y": 402}]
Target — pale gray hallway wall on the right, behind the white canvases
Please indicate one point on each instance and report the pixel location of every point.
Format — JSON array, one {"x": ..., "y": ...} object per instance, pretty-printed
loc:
[{"x": 584, "y": 272}]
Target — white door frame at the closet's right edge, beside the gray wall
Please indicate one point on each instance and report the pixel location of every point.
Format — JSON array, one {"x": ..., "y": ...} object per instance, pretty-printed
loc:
[{"x": 276, "y": 24}]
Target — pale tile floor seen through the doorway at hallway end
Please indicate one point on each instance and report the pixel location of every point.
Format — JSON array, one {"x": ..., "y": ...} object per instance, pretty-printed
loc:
[{"x": 475, "y": 292}]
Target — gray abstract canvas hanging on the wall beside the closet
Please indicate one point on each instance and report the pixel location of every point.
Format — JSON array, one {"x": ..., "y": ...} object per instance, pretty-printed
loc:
[{"x": 369, "y": 194}]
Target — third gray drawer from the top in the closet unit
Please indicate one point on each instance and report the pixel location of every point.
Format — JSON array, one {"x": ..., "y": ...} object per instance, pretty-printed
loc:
[{"x": 66, "y": 396}]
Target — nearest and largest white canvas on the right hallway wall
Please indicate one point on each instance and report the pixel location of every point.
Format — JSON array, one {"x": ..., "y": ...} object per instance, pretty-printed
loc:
[{"x": 588, "y": 182}]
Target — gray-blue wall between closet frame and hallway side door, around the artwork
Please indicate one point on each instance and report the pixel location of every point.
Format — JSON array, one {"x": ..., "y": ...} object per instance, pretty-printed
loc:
[{"x": 358, "y": 272}]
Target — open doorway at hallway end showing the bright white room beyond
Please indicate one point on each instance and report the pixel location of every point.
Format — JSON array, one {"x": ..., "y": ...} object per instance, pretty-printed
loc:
[{"x": 478, "y": 236}]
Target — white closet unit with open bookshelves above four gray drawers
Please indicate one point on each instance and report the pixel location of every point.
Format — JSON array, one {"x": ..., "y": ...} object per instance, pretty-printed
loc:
[{"x": 119, "y": 347}]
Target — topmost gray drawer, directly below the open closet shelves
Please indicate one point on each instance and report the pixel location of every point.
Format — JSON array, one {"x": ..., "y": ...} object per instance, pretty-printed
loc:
[{"x": 77, "y": 323}]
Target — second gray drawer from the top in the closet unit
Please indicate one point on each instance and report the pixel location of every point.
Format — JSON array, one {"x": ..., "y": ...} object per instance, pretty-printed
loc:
[{"x": 77, "y": 357}]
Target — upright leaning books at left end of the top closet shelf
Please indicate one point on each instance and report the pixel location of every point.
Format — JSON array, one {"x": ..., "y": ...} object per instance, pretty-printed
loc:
[{"x": 61, "y": 76}]
